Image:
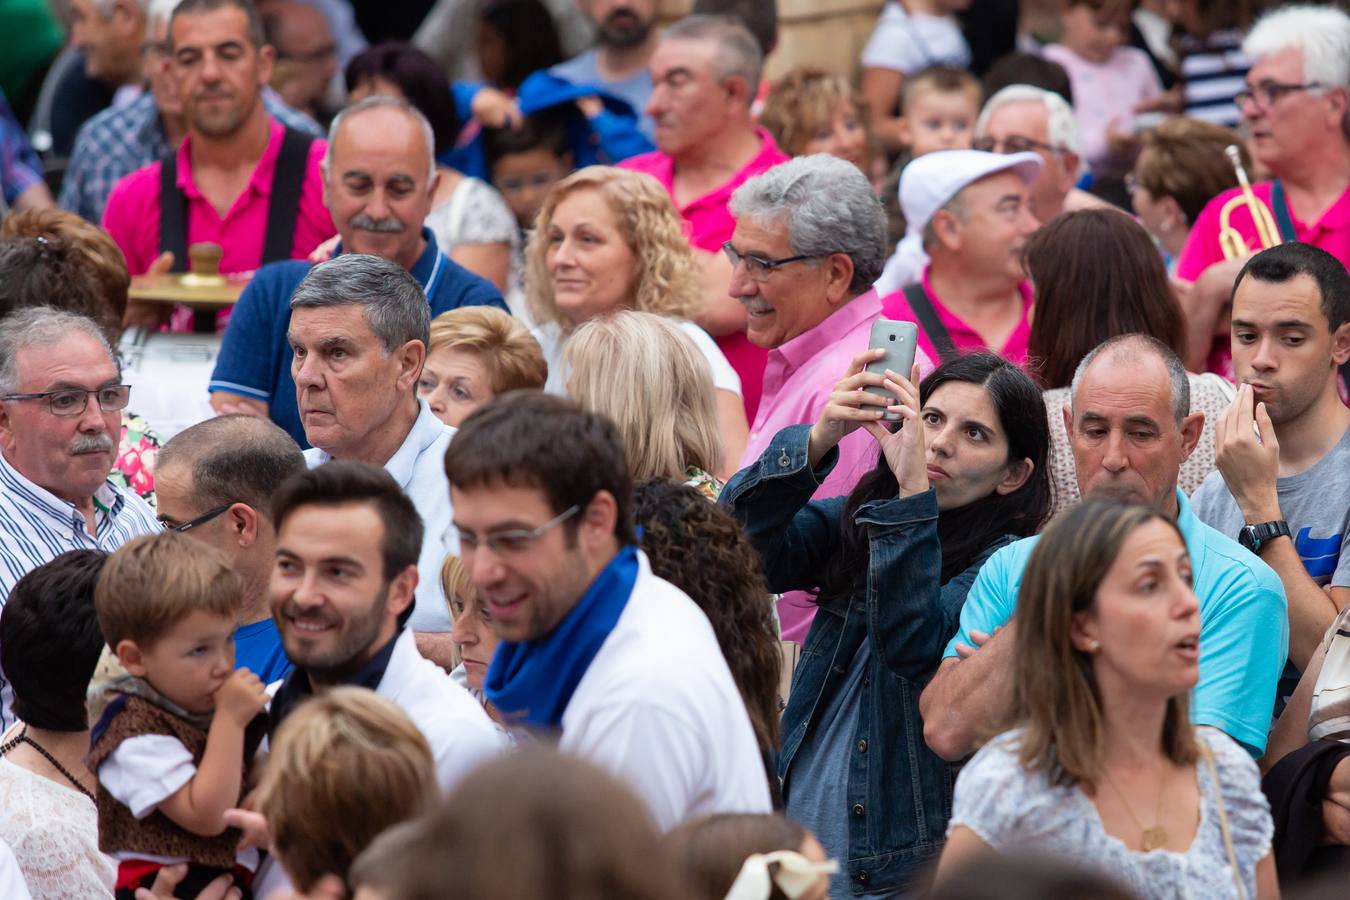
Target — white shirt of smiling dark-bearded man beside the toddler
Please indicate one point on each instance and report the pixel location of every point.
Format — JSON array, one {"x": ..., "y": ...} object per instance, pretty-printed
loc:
[{"x": 456, "y": 725}]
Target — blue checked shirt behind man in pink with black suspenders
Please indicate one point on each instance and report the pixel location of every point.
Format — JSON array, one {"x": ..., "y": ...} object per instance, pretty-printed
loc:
[{"x": 122, "y": 140}]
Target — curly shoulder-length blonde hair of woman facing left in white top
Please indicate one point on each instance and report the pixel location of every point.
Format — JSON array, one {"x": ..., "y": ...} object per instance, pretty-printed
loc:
[{"x": 666, "y": 283}]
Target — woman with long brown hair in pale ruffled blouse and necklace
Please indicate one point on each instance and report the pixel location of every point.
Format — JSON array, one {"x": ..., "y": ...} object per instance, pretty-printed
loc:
[{"x": 1102, "y": 764}]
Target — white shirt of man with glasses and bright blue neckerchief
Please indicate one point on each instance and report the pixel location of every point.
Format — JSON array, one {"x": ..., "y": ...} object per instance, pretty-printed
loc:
[{"x": 658, "y": 708}]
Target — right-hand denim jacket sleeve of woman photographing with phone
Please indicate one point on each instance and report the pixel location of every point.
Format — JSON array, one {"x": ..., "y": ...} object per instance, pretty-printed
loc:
[{"x": 911, "y": 613}]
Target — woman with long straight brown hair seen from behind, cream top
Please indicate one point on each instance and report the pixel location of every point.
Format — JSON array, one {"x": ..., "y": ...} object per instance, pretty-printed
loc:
[{"x": 1098, "y": 276}]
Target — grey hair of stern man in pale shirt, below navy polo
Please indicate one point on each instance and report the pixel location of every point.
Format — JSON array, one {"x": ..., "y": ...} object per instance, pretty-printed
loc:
[{"x": 395, "y": 304}]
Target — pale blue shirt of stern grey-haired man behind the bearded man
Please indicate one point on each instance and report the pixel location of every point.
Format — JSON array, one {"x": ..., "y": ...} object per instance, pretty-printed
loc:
[{"x": 419, "y": 466}]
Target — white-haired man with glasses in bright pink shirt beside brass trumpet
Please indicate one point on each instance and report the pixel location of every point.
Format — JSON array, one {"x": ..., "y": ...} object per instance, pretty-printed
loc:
[{"x": 1297, "y": 106}]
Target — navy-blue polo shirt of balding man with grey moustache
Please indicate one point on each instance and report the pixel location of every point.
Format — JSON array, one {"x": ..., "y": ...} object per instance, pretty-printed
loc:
[{"x": 256, "y": 357}]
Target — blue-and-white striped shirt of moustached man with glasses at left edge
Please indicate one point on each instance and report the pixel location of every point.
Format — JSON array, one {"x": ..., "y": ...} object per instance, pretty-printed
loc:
[{"x": 37, "y": 527}]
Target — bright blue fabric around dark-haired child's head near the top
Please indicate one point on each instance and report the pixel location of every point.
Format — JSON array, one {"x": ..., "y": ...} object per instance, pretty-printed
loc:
[{"x": 610, "y": 138}]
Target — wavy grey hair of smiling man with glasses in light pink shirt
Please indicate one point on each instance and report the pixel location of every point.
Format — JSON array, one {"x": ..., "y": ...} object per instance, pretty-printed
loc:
[{"x": 827, "y": 206}]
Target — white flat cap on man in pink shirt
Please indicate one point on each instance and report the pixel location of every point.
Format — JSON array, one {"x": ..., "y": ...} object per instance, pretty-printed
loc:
[{"x": 928, "y": 184}]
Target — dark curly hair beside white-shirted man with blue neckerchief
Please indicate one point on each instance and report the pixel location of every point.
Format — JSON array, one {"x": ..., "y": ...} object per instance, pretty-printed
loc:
[{"x": 726, "y": 581}]
